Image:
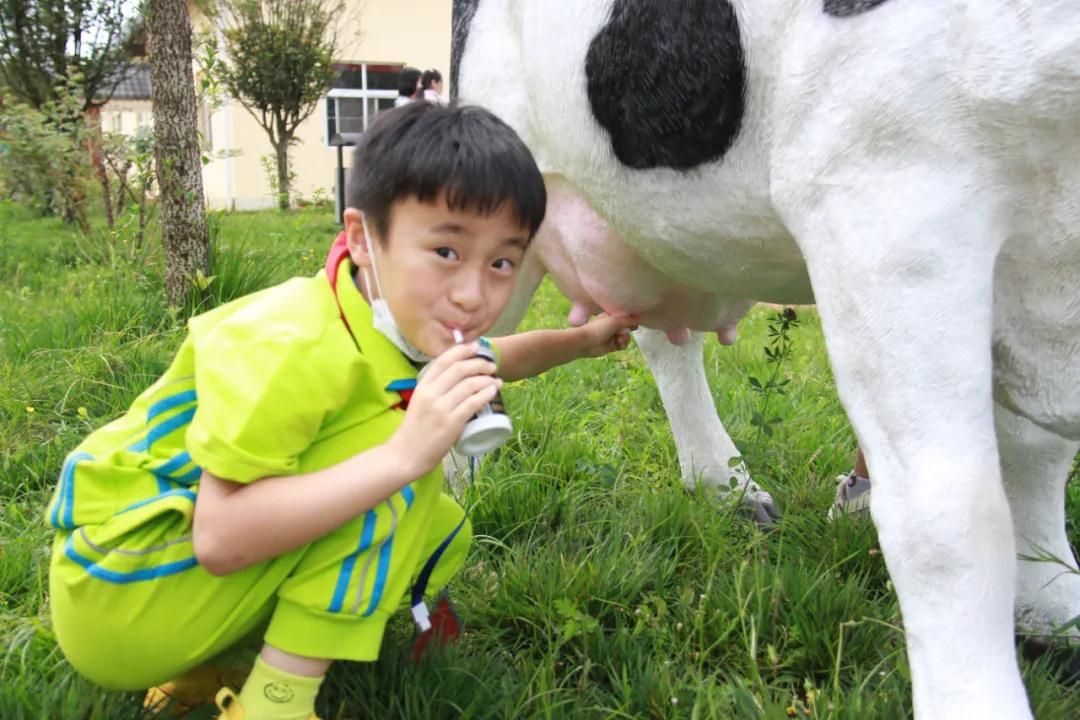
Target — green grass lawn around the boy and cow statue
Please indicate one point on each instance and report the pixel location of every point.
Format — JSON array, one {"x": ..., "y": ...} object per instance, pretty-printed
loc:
[{"x": 598, "y": 587}]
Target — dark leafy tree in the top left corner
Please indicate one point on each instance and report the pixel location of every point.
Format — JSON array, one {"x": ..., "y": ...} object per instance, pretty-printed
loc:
[{"x": 46, "y": 45}]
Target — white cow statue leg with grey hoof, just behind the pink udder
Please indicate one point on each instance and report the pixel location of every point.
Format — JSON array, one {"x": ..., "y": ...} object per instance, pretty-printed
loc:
[{"x": 705, "y": 450}]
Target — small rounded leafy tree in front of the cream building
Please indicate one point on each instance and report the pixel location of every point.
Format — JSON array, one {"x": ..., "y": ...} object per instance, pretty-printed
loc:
[{"x": 279, "y": 63}]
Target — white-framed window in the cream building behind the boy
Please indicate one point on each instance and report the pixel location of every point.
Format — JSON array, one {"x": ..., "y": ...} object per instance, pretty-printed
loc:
[{"x": 358, "y": 93}]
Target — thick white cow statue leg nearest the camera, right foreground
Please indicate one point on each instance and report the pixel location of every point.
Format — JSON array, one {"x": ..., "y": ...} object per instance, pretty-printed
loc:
[{"x": 911, "y": 348}]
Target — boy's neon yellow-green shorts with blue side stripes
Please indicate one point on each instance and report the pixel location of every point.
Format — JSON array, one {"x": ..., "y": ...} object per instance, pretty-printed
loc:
[{"x": 132, "y": 608}]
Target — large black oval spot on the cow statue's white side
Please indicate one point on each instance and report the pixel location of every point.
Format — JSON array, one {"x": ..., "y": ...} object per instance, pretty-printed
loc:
[{"x": 667, "y": 80}]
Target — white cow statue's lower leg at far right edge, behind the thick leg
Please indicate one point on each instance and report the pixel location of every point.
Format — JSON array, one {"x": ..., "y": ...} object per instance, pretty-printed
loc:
[{"x": 1035, "y": 465}]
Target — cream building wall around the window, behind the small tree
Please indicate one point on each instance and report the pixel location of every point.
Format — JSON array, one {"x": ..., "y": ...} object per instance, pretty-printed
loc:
[{"x": 414, "y": 33}]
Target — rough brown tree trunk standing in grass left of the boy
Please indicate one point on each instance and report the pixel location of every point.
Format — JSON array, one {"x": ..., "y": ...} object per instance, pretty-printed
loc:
[{"x": 177, "y": 148}]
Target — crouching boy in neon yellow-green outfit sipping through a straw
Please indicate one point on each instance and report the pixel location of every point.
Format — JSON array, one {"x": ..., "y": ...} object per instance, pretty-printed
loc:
[{"x": 282, "y": 479}]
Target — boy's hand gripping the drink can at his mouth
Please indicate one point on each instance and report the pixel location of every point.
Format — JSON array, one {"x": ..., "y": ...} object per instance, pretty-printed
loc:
[{"x": 454, "y": 388}]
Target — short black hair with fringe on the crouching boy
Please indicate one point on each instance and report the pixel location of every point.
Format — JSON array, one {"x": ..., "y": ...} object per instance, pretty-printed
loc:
[{"x": 422, "y": 150}]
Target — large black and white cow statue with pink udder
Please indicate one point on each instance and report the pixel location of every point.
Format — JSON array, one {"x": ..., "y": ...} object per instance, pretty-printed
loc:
[{"x": 913, "y": 167}]
